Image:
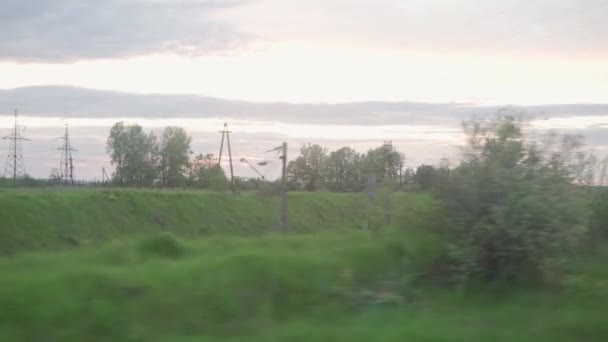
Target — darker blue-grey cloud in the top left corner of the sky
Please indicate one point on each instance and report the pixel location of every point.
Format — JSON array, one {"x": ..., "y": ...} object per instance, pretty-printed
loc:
[{"x": 67, "y": 30}]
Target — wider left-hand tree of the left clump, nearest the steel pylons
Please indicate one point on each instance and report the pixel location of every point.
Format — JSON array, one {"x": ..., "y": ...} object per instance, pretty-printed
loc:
[{"x": 132, "y": 151}]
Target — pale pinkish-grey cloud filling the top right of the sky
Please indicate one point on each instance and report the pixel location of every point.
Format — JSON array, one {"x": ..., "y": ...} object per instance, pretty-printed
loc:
[{"x": 564, "y": 27}]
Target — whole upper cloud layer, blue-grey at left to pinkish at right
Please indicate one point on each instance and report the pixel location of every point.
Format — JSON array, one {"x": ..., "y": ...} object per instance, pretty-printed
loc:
[{"x": 64, "y": 30}]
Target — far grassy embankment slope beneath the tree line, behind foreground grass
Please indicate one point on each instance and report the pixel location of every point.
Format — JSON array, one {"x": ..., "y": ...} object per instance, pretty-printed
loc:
[{"x": 32, "y": 219}]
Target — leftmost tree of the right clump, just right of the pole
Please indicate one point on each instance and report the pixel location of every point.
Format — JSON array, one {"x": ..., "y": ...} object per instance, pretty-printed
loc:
[{"x": 307, "y": 170}]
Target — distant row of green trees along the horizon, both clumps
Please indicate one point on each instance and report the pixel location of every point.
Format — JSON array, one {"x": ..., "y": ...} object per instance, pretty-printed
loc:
[{"x": 164, "y": 158}]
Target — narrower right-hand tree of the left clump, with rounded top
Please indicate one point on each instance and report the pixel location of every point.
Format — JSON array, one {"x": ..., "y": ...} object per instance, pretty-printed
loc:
[{"x": 173, "y": 156}]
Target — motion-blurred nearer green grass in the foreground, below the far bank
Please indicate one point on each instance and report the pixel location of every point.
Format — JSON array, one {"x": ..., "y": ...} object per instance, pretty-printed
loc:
[{"x": 325, "y": 287}]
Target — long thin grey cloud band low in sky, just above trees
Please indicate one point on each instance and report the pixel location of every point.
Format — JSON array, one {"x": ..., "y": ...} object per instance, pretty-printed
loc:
[{"x": 86, "y": 103}]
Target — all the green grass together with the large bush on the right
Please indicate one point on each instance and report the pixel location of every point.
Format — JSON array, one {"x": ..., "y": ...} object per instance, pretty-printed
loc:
[{"x": 509, "y": 245}]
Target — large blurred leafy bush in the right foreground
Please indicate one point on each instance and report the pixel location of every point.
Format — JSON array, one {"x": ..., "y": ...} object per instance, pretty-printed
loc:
[{"x": 513, "y": 207}]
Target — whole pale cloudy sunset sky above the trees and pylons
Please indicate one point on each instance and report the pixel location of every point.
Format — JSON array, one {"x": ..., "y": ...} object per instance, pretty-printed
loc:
[{"x": 339, "y": 72}]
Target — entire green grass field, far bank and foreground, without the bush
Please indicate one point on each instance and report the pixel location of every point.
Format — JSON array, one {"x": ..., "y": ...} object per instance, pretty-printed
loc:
[{"x": 198, "y": 275}]
